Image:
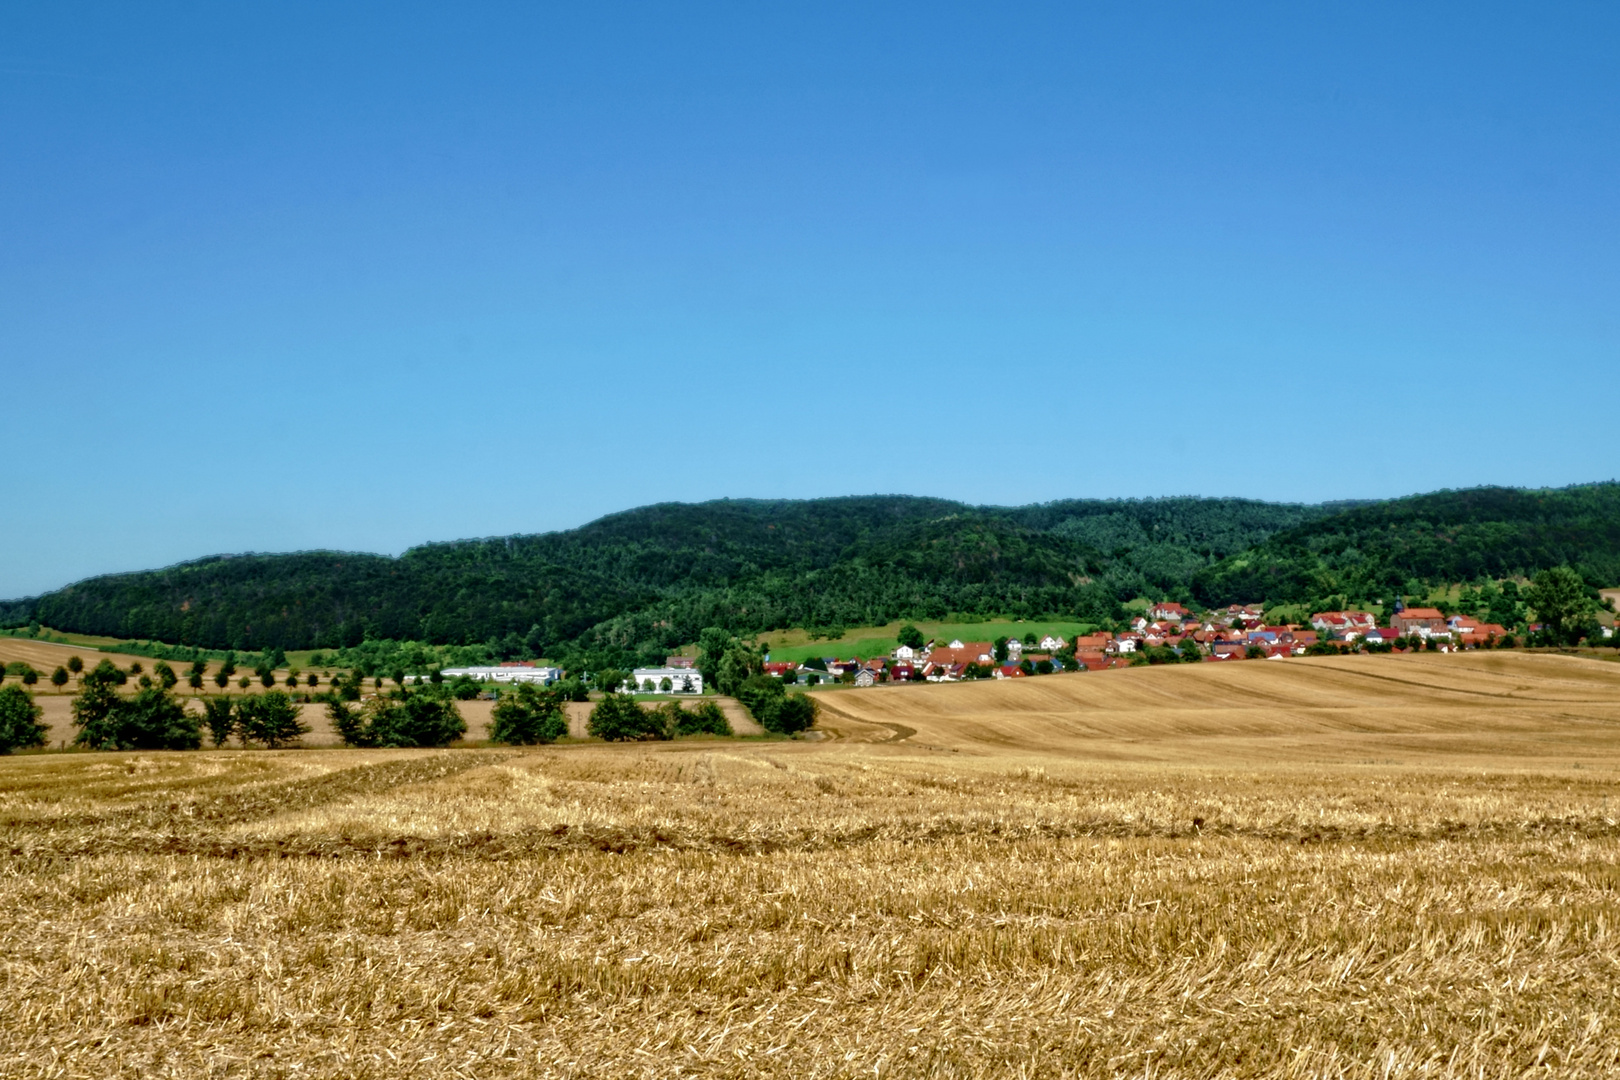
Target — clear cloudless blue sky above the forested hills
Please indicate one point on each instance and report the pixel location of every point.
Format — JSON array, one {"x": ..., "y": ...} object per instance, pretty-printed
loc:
[{"x": 365, "y": 276}]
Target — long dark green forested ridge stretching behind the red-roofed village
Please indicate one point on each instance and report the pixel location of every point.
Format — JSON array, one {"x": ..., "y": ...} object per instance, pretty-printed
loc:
[{"x": 633, "y": 585}]
